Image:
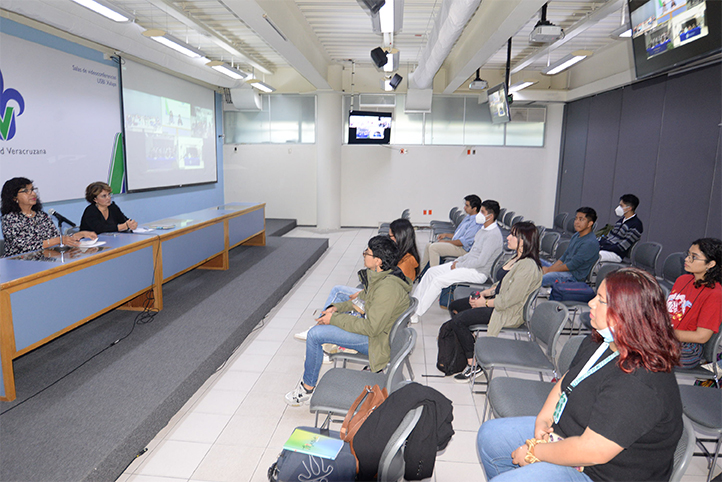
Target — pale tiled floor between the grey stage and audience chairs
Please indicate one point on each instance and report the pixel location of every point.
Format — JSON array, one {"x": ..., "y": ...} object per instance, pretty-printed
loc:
[{"x": 233, "y": 428}]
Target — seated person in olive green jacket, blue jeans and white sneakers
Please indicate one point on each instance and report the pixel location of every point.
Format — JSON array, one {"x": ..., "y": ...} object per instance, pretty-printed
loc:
[{"x": 384, "y": 298}]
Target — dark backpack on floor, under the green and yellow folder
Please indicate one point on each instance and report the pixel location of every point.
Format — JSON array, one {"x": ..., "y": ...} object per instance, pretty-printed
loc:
[{"x": 297, "y": 467}]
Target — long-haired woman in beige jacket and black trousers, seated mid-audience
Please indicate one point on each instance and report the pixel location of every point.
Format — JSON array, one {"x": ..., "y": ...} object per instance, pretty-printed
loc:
[{"x": 502, "y": 305}]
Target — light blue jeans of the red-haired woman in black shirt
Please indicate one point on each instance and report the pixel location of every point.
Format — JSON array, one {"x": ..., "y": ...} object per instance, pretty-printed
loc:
[{"x": 496, "y": 441}]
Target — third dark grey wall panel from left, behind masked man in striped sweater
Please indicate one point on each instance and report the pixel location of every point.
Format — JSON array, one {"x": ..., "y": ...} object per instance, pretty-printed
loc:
[{"x": 639, "y": 131}]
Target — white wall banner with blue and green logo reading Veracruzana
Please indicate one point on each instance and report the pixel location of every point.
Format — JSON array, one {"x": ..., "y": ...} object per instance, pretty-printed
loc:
[{"x": 59, "y": 118}]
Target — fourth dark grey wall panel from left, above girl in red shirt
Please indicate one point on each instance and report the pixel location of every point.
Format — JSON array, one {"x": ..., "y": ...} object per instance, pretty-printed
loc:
[{"x": 686, "y": 160}]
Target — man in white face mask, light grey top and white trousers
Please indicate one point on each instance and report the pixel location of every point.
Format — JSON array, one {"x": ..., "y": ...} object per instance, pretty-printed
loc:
[{"x": 473, "y": 267}]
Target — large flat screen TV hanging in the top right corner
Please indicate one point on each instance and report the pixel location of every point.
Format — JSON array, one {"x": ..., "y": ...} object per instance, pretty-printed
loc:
[{"x": 667, "y": 34}]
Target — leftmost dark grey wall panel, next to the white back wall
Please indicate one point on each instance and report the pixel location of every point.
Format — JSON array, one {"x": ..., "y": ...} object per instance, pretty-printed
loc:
[{"x": 574, "y": 152}]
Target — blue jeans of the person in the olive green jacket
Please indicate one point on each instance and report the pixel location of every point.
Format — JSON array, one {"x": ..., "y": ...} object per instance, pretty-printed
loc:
[{"x": 320, "y": 334}]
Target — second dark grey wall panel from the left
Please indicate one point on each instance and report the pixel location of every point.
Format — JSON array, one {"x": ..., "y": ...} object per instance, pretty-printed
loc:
[{"x": 602, "y": 136}]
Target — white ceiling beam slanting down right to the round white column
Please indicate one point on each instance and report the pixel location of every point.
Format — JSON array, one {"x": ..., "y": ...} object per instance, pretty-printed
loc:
[{"x": 282, "y": 26}]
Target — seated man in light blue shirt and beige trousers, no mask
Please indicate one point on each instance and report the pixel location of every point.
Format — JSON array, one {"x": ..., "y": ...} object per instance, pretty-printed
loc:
[{"x": 458, "y": 243}]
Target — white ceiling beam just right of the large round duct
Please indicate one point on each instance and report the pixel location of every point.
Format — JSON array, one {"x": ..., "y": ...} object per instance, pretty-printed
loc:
[{"x": 493, "y": 24}]
